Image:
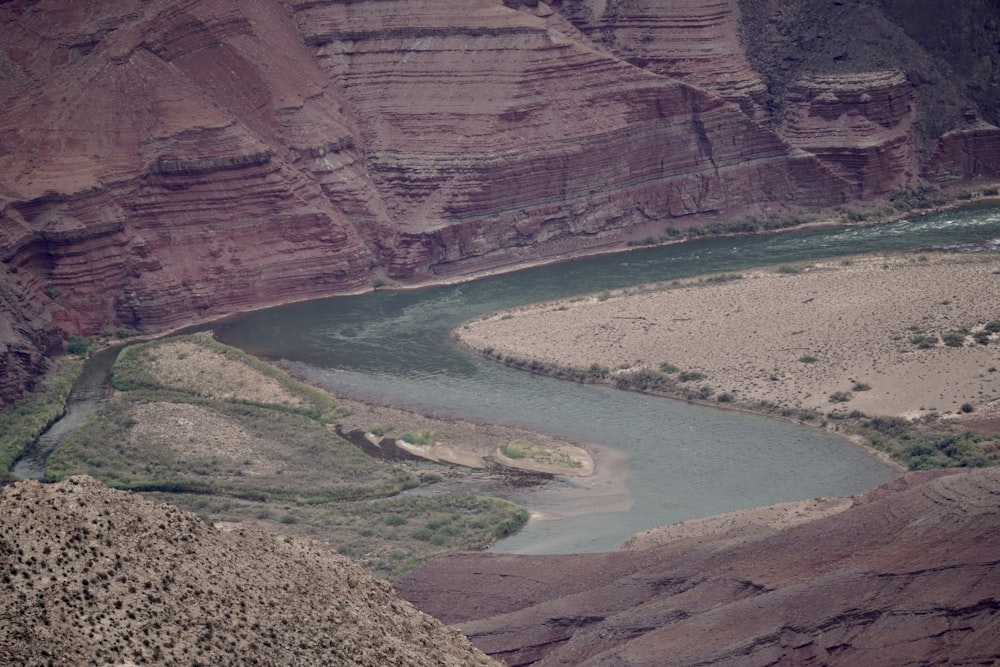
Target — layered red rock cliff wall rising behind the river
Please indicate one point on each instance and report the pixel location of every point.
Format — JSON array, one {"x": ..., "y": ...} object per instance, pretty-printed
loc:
[{"x": 168, "y": 160}]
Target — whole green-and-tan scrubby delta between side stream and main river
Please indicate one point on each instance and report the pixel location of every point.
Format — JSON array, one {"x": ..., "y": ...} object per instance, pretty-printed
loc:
[{"x": 246, "y": 442}]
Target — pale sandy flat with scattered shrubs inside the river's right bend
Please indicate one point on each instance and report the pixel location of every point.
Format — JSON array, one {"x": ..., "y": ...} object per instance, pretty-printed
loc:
[{"x": 747, "y": 336}]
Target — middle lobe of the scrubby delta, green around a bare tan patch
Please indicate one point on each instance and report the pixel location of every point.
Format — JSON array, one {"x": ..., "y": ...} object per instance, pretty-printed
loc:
[{"x": 237, "y": 450}]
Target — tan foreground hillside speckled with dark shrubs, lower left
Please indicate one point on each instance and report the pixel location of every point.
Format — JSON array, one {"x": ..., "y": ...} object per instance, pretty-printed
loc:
[{"x": 94, "y": 576}]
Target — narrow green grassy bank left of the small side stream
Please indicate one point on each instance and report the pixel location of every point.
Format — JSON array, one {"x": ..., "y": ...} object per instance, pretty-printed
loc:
[{"x": 23, "y": 421}]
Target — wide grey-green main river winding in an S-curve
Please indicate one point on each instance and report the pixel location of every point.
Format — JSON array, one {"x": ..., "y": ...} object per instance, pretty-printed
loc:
[{"x": 684, "y": 461}]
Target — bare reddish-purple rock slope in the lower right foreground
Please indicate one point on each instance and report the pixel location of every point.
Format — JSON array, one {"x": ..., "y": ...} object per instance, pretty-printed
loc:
[{"x": 908, "y": 575}]
